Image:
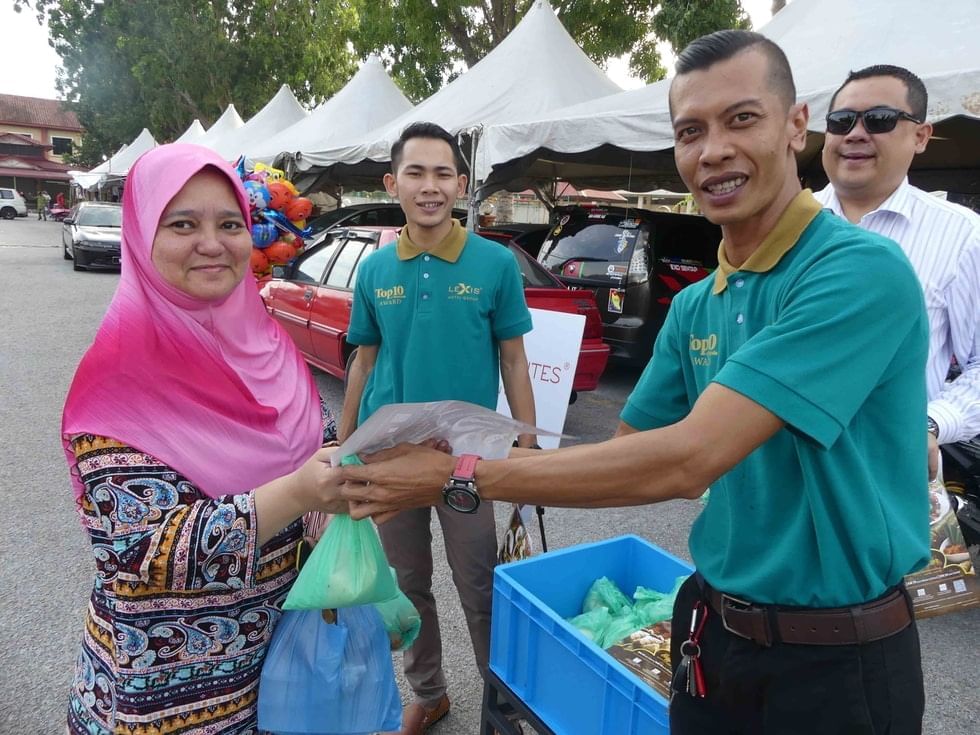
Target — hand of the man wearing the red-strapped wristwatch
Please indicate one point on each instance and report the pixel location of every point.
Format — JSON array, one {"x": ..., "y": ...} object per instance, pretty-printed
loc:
[{"x": 403, "y": 477}]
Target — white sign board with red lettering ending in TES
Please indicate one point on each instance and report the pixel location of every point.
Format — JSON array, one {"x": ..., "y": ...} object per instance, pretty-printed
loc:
[{"x": 552, "y": 349}]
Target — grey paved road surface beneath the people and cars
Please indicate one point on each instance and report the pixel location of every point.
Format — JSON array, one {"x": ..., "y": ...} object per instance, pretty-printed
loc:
[{"x": 45, "y": 563}]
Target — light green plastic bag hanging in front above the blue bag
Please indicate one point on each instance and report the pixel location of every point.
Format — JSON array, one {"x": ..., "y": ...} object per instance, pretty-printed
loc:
[{"x": 346, "y": 568}]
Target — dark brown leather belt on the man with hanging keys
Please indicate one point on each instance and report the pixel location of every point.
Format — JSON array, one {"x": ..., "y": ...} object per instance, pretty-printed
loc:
[{"x": 838, "y": 626}]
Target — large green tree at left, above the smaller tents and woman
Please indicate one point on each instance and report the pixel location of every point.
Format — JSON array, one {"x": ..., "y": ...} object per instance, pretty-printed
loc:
[{"x": 129, "y": 64}]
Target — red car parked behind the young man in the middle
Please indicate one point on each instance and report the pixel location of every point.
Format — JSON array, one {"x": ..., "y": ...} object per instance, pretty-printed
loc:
[{"x": 312, "y": 299}]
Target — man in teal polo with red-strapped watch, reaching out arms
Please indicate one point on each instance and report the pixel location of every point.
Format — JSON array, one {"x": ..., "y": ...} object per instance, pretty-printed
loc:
[{"x": 792, "y": 384}]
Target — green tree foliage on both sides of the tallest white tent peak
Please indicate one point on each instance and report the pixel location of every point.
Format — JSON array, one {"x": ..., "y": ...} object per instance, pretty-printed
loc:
[{"x": 427, "y": 42}]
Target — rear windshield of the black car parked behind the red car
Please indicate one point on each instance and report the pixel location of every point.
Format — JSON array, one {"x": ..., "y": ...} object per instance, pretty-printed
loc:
[{"x": 595, "y": 245}]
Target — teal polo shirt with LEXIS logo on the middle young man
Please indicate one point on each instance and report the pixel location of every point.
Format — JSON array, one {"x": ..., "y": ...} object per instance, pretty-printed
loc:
[{"x": 438, "y": 317}]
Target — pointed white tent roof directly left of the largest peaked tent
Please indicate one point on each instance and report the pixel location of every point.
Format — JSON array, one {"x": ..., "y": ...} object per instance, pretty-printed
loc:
[{"x": 370, "y": 99}]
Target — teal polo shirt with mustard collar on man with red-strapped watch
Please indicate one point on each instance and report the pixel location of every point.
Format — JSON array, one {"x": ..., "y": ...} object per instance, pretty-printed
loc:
[{"x": 825, "y": 326}]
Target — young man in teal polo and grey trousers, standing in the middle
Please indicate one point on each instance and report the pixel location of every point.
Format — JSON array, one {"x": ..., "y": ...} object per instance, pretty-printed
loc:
[{"x": 439, "y": 316}]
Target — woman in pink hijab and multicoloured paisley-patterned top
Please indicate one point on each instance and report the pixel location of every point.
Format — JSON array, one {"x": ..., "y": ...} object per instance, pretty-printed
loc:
[{"x": 193, "y": 430}]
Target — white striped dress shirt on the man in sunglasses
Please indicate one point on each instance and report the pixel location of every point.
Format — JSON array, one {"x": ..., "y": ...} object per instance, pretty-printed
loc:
[{"x": 942, "y": 240}]
